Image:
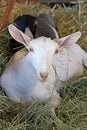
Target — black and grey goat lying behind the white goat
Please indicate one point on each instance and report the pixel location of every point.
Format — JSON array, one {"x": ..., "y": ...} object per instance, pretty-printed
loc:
[{"x": 43, "y": 25}]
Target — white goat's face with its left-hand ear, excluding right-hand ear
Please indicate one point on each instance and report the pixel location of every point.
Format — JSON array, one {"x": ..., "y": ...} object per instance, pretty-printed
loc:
[{"x": 42, "y": 51}]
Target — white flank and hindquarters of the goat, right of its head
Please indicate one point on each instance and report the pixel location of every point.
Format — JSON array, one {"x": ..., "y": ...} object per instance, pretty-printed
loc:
[{"x": 70, "y": 61}]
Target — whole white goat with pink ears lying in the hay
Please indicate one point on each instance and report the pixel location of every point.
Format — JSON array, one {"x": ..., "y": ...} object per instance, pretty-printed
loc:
[{"x": 30, "y": 74}]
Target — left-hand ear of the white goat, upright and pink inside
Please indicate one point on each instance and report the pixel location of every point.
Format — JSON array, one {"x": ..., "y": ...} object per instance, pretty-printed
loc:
[{"x": 18, "y": 35}]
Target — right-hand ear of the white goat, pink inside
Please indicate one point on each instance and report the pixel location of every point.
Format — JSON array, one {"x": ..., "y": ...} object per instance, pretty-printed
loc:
[{"x": 70, "y": 39}]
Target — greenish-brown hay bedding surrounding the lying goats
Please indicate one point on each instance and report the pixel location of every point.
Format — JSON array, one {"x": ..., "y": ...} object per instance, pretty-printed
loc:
[{"x": 72, "y": 112}]
